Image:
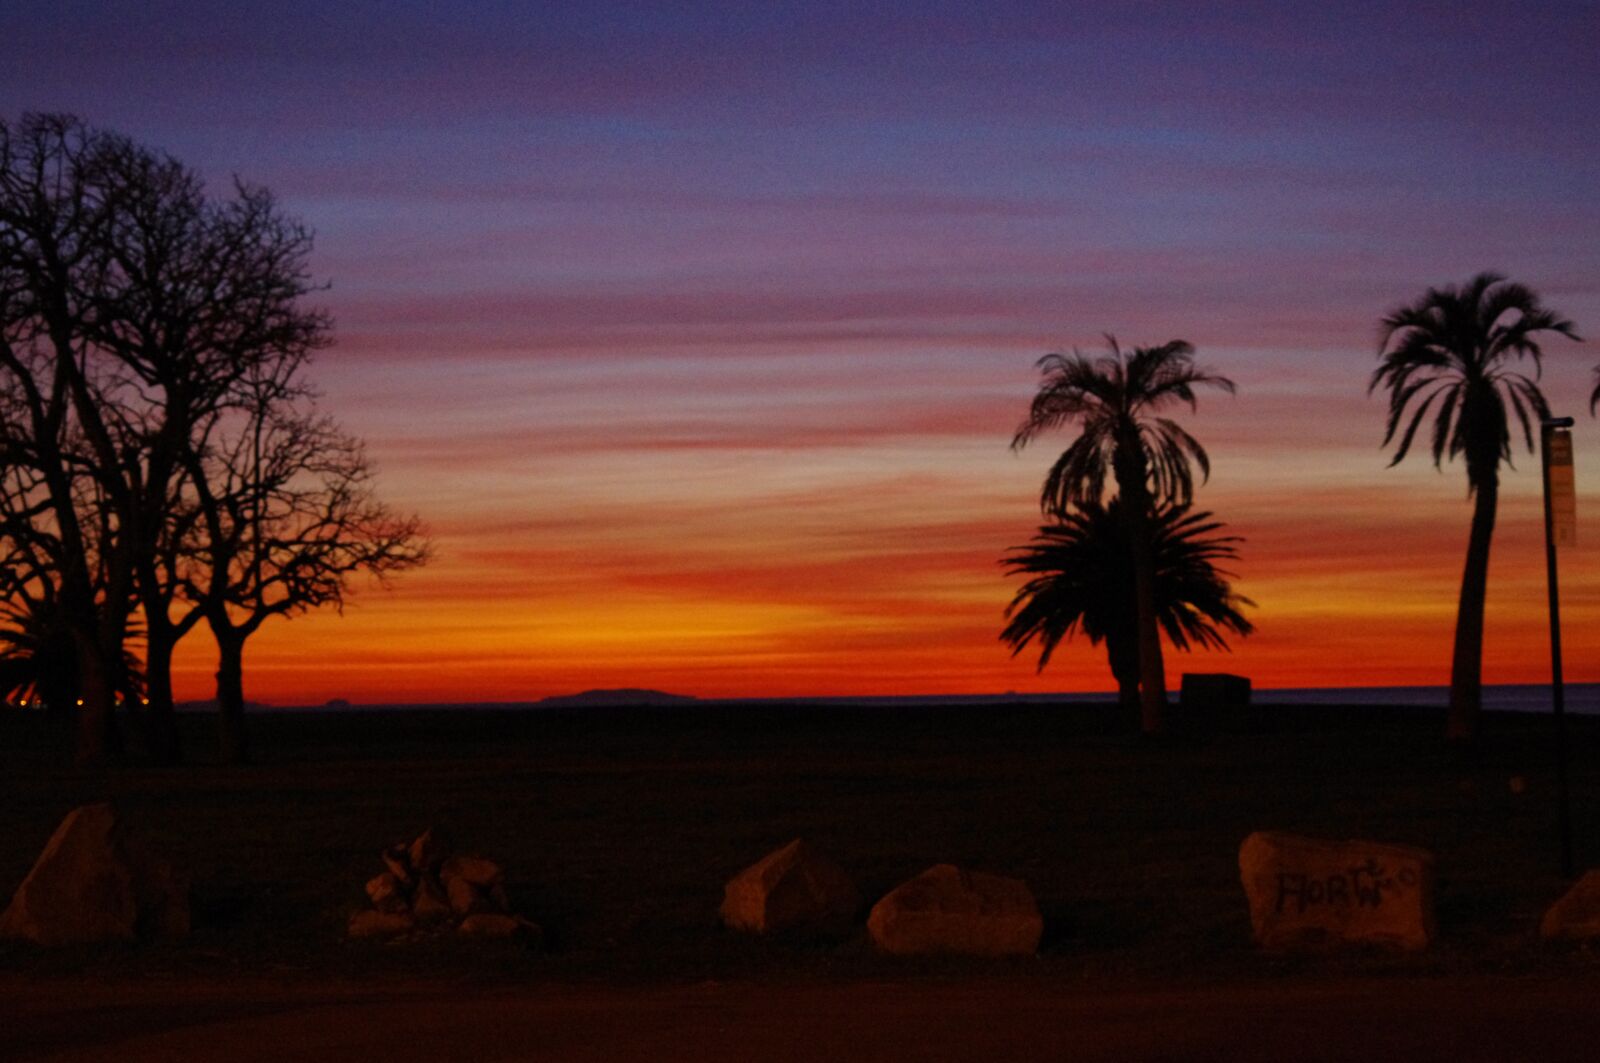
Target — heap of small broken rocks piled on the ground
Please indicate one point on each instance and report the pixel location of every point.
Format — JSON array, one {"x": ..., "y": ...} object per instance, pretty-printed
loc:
[{"x": 426, "y": 889}]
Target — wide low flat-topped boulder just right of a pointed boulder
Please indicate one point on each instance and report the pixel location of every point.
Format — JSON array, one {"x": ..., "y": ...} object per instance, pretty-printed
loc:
[{"x": 950, "y": 910}]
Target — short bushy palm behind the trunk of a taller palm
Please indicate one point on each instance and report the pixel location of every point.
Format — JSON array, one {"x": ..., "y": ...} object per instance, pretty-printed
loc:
[{"x": 1082, "y": 580}]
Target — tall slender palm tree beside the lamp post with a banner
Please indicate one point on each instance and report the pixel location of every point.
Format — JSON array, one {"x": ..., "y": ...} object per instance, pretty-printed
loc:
[{"x": 1454, "y": 351}]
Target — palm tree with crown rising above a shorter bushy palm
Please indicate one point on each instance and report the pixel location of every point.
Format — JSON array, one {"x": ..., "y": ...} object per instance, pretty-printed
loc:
[{"x": 1116, "y": 399}]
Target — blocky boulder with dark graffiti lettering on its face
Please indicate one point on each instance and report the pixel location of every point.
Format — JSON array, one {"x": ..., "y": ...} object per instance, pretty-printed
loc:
[{"x": 1311, "y": 894}]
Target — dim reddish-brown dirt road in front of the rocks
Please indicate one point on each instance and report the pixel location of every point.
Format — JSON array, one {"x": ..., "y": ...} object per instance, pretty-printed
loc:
[{"x": 1401, "y": 1021}]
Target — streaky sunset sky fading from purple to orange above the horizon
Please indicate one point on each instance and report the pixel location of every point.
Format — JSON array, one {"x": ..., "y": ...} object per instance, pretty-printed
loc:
[{"x": 698, "y": 334}]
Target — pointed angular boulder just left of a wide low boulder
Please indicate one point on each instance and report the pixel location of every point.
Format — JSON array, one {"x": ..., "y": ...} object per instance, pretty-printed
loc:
[{"x": 791, "y": 889}]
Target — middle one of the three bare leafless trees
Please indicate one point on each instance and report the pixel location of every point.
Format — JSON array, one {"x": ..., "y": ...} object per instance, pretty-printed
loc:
[{"x": 207, "y": 303}]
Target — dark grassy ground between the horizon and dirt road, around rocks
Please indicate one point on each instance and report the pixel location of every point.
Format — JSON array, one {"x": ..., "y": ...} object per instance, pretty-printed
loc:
[{"x": 618, "y": 830}]
